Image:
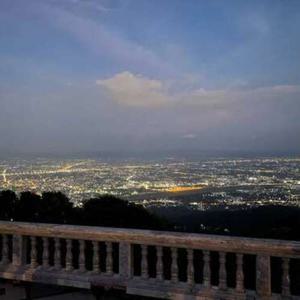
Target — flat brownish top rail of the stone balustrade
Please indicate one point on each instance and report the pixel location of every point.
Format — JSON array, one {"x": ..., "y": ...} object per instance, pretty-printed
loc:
[{"x": 158, "y": 238}]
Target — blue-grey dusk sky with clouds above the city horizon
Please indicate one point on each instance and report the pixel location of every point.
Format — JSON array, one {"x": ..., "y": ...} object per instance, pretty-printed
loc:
[{"x": 134, "y": 75}]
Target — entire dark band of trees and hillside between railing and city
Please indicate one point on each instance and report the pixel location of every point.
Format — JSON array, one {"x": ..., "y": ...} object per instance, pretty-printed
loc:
[{"x": 280, "y": 222}]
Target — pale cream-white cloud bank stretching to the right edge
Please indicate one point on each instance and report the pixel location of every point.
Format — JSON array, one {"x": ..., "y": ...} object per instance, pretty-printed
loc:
[{"x": 135, "y": 90}]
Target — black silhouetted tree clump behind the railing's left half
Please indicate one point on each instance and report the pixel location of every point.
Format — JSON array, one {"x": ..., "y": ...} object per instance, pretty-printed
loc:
[{"x": 55, "y": 207}]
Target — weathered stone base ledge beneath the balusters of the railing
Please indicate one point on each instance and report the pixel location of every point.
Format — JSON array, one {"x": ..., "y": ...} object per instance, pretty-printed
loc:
[{"x": 135, "y": 286}]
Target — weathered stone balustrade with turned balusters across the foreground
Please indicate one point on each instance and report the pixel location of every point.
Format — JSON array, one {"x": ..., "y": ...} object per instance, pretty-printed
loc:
[{"x": 150, "y": 263}]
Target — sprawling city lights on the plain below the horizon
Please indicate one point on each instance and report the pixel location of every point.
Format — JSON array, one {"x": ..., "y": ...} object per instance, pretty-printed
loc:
[{"x": 198, "y": 184}]
